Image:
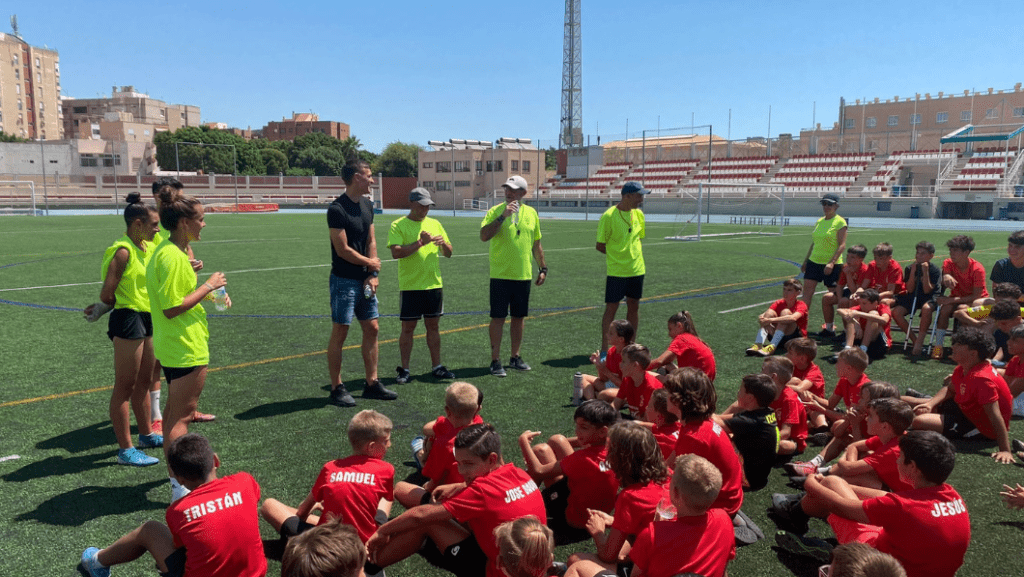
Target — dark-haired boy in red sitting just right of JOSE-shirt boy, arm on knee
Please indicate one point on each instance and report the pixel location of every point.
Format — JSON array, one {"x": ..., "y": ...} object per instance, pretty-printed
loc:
[{"x": 576, "y": 479}]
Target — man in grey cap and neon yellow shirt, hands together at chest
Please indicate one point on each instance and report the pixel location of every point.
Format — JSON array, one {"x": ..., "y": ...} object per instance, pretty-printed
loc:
[{"x": 417, "y": 242}]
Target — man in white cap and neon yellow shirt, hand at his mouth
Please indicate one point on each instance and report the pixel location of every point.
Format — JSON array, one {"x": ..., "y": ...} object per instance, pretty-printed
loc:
[{"x": 515, "y": 233}]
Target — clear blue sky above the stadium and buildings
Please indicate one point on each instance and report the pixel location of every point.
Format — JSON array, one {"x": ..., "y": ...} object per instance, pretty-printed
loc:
[{"x": 420, "y": 71}]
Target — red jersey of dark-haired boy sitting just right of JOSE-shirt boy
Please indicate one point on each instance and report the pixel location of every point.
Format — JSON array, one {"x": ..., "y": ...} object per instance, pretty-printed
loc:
[{"x": 591, "y": 482}]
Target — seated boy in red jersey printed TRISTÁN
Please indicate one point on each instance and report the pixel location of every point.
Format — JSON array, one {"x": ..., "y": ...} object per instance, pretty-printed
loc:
[{"x": 211, "y": 532}]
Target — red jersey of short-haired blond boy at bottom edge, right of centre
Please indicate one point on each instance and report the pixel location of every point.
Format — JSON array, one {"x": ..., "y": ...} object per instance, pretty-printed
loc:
[{"x": 702, "y": 545}]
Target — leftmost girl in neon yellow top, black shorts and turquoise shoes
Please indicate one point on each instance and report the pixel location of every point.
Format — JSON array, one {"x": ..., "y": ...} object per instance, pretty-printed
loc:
[{"x": 131, "y": 328}]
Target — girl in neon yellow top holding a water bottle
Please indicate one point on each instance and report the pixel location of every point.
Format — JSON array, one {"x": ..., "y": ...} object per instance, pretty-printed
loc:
[{"x": 181, "y": 336}]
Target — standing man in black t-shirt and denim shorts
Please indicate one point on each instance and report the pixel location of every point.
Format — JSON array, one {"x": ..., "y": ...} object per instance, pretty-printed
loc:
[{"x": 355, "y": 268}]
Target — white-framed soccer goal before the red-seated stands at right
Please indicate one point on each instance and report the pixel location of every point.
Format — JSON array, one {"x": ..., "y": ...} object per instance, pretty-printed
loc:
[{"x": 727, "y": 210}]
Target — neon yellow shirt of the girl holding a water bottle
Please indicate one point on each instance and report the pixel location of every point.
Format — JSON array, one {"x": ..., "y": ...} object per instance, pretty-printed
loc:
[{"x": 184, "y": 341}]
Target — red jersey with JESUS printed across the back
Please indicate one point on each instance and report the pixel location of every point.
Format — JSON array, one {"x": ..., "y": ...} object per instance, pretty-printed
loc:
[{"x": 927, "y": 530}]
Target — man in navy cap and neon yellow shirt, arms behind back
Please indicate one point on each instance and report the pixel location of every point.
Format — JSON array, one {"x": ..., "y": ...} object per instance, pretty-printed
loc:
[{"x": 619, "y": 235}]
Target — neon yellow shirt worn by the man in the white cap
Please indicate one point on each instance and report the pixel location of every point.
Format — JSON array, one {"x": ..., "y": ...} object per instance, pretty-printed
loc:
[{"x": 513, "y": 248}]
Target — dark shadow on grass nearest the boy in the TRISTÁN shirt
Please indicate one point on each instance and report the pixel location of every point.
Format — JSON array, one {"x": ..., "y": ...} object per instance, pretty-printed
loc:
[{"x": 80, "y": 506}]
